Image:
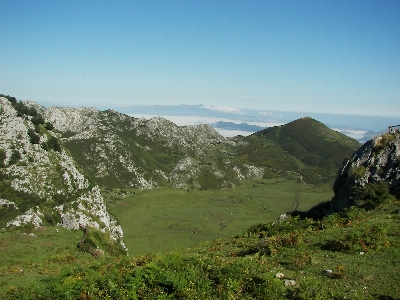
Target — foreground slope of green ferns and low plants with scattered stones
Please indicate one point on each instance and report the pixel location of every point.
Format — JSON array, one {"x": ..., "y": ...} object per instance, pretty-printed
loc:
[{"x": 353, "y": 255}]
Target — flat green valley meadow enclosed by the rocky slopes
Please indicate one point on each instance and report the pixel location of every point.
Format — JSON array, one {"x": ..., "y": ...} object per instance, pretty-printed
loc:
[{"x": 171, "y": 219}]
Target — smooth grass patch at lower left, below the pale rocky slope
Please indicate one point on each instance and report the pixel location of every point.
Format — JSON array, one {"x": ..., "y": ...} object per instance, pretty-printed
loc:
[{"x": 37, "y": 254}]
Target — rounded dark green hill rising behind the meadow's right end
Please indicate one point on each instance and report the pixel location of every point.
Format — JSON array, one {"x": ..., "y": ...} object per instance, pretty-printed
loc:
[{"x": 304, "y": 145}]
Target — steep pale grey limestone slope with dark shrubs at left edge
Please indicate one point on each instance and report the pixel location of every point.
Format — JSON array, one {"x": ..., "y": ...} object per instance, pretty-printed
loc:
[{"x": 46, "y": 177}]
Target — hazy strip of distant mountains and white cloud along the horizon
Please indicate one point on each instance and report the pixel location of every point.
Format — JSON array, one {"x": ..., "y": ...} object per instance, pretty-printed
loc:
[{"x": 232, "y": 121}]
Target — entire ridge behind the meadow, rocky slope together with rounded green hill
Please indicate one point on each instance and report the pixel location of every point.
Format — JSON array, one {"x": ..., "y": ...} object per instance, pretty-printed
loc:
[{"x": 116, "y": 150}]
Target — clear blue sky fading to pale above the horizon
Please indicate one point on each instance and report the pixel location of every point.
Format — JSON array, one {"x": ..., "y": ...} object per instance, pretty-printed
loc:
[{"x": 318, "y": 56}]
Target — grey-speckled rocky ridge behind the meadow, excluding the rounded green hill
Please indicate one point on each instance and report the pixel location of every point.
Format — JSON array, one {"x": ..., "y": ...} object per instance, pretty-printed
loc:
[{"x": 117, "y": 150}]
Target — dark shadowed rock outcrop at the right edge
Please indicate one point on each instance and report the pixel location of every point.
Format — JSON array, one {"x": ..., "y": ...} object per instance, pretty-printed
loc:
[{"x": 378, "y": 160}]
